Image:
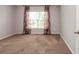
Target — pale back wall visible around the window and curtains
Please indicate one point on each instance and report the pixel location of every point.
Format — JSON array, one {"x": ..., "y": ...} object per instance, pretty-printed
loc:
[{"x": 54, "y": 17}]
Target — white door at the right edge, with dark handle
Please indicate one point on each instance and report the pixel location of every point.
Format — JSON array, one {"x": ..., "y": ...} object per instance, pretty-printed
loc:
[{"x": 77, "y": 29}]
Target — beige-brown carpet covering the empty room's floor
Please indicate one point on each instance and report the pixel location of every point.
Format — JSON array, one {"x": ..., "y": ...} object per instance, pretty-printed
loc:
[{"x": 34, "y": 44}]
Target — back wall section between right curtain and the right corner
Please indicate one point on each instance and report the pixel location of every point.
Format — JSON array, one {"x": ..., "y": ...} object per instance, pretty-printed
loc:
[{"x": 55, "y": 19}]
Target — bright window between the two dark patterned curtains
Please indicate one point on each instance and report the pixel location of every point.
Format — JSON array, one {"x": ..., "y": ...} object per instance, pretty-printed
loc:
[{"x": 37, "y": 19}]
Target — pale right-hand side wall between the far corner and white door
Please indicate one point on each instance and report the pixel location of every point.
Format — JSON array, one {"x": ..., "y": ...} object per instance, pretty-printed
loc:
[{"x": 68, "y": 21}]
